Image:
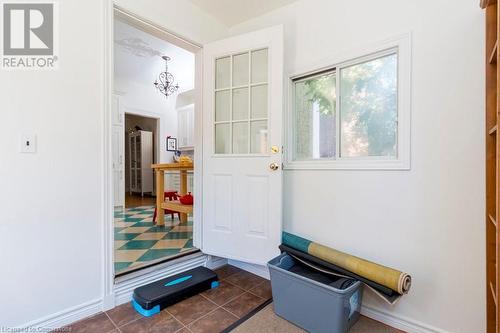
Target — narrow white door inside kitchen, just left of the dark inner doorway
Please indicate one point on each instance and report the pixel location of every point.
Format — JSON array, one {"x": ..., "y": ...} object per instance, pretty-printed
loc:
[{"x": 118, "y": 179}]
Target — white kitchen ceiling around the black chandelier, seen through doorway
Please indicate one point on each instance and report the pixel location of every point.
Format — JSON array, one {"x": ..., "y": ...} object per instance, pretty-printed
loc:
[{"x": 137, "y": 57}]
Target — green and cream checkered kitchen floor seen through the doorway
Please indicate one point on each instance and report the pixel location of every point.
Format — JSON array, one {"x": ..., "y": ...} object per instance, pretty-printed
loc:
[{"x": 139, "y": 242}]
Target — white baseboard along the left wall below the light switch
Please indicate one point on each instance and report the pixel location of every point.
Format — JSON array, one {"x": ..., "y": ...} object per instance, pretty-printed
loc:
[{"x": 63, "y": 318}]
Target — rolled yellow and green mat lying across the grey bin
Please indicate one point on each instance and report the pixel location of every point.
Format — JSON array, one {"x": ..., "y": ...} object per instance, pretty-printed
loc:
[{"x": 385, "y": 276}]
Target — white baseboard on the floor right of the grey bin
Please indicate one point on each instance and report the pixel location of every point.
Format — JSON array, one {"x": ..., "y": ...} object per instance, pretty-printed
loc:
[{"x": 401, "y": 323}]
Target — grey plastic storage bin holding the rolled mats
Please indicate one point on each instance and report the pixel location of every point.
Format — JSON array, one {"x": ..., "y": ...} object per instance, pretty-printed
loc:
[{"x": 314, "y": 306}]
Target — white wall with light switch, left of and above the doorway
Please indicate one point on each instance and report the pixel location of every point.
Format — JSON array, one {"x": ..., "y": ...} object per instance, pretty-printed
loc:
[{"x": 51, "y": 252}]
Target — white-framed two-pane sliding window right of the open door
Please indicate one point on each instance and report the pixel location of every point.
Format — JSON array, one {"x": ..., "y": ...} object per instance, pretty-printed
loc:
[{"x": 354, "y": 115}]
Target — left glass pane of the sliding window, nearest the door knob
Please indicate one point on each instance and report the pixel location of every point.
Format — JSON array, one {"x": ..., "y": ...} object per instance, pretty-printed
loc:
[{"x": 314, "y": 117}]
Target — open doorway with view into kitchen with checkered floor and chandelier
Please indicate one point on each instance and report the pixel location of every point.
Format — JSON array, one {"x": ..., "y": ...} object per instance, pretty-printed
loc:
[{"x": 145, "y": 120}]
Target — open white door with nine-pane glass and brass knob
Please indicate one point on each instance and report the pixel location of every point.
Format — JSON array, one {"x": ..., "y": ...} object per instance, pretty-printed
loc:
[{"x": 242, "y": 134}]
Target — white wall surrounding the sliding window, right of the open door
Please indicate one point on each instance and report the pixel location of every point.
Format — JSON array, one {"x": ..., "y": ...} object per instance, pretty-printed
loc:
[{"x": 428, "y": 221}]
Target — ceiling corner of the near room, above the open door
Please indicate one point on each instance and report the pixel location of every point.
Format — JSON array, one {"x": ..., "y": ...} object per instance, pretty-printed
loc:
[{"x": 231, "y": 12}]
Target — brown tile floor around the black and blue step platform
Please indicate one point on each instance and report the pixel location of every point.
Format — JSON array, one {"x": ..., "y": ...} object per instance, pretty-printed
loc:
[{"x": 211, "y": 311}]
